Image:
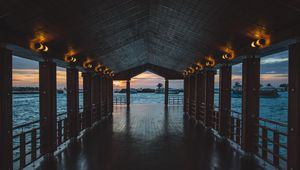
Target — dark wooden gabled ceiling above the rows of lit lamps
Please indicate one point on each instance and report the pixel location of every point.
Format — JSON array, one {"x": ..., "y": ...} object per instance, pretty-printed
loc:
[{"x": 124, "y": 34}]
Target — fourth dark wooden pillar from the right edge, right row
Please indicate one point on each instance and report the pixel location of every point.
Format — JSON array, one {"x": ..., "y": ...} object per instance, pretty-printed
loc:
[{"x": 209, "y": 97}]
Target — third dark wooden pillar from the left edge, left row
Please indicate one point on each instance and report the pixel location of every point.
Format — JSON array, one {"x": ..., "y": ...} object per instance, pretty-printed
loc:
[{"x": 72, "y": 101}]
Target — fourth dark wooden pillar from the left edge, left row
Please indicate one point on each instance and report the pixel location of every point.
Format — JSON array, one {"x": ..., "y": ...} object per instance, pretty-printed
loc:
[{"x": 87, "y": 98}]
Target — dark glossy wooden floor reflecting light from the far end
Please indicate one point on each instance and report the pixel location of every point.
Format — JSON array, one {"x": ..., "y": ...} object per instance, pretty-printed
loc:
[{"x": 147, "y": 137}]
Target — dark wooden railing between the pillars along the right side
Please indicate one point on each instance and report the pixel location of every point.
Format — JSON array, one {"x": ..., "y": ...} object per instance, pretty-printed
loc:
[{"x": 272, "y": 145}]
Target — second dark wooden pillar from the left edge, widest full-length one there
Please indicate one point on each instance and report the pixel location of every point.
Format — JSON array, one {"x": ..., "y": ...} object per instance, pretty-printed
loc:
[{"x": 48, "y": 131}]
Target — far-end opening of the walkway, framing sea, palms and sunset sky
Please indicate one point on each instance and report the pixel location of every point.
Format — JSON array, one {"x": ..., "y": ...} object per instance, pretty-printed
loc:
[{"x": 148, "y": 88}]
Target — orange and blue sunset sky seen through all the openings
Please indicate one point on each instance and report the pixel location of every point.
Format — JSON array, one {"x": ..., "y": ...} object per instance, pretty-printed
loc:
[{"x": 274, "y": 70}]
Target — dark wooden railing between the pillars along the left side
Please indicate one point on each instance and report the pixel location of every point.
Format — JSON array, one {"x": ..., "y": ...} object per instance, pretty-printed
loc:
[{"x": 26, "y": 139}]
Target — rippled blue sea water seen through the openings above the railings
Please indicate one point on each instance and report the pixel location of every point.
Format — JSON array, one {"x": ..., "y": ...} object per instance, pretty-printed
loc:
[{"x": 26, "y": 106}]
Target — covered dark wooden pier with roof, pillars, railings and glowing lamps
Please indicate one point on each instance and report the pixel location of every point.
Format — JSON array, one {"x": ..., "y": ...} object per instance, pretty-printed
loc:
[{"x": 116, "y": 40}]
